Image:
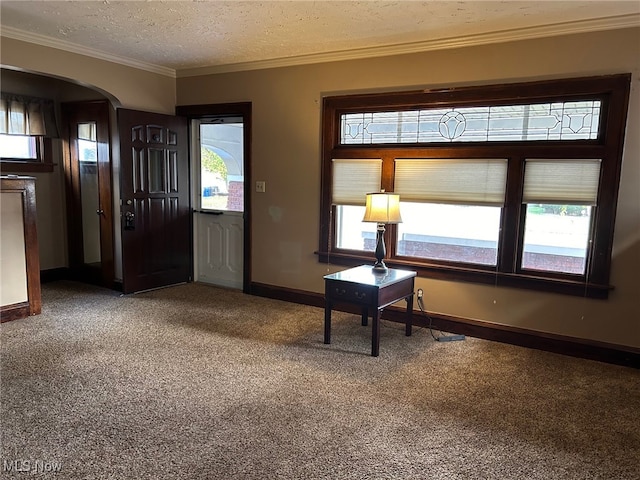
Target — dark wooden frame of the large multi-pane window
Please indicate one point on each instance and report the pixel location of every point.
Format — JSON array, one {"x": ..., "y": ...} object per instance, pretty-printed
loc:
[{"x": 612, "y": 90}]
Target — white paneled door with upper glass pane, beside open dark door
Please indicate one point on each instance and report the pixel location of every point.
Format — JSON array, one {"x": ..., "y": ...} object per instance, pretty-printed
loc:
[{"x": 218, "y": 153}]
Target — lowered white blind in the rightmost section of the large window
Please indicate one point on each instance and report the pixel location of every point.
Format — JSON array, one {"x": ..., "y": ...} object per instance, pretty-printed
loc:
[{"x": 573, "y": 182}]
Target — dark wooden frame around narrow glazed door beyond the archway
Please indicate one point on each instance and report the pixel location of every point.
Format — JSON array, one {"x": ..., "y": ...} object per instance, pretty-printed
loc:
[{"x": 98, "y": 111}]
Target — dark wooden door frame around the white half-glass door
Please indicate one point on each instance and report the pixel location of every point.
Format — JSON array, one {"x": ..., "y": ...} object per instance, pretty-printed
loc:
[{"x": 243, "y": 109}]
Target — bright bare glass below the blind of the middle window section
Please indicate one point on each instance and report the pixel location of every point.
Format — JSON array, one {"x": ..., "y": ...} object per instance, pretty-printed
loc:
[{"x": 455, "y": 233}]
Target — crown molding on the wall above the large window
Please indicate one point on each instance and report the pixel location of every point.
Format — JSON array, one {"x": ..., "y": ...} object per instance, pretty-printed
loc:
[{"x": 566, "y": 28}]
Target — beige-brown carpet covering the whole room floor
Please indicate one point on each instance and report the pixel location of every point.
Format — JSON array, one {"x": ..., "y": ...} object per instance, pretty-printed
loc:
[{"x": 195, "y": 382}]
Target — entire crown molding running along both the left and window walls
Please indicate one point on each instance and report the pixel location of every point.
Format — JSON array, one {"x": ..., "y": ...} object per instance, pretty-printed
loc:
[{"x": 565, "y": 28}]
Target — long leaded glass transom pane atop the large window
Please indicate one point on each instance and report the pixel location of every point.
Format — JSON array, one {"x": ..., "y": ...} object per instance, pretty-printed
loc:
[{"x": 576, "y": 120}]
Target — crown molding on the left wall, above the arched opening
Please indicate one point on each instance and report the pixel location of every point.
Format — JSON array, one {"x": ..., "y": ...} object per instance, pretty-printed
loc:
[{"x": 45, "y": 41}]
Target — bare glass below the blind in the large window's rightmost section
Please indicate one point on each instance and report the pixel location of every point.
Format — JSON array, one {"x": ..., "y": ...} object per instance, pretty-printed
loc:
[{"x": 556, "y": 238}]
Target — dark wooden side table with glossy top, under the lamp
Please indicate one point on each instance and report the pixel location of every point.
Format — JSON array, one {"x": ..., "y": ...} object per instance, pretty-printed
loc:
[{"x": 372, "y": 292}]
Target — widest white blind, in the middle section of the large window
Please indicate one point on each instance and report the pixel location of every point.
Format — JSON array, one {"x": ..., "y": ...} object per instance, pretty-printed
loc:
[{"x": 459, "y": 181}]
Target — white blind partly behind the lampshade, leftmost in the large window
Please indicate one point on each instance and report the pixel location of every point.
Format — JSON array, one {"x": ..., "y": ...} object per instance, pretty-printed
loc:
[{"x": 353, "y": 179}]
